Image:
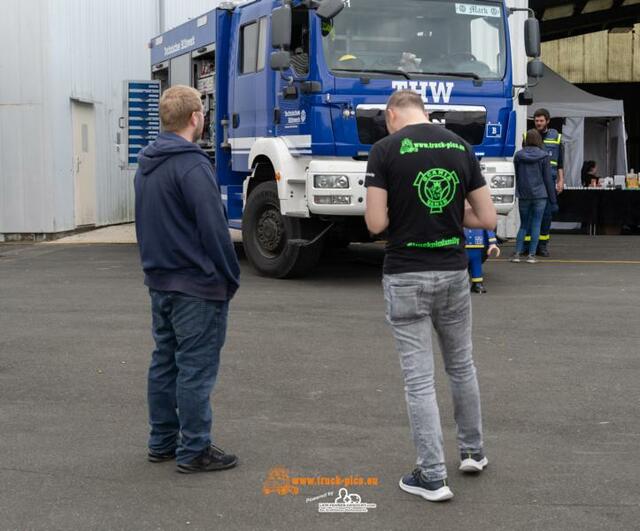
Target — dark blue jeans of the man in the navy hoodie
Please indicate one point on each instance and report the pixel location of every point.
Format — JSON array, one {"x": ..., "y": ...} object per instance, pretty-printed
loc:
[{"x": 189, "y": 333}]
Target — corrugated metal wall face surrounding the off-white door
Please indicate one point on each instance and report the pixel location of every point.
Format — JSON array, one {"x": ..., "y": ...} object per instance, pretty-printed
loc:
[{"x": 97, "y": 45}]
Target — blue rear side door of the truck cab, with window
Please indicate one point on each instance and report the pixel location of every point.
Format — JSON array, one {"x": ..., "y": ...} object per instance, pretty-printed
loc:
[{"x": 247, "y": 82}]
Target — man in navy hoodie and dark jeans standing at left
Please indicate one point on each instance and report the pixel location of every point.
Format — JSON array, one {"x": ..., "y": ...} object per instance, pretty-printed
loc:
[{"x": 192, "y": 273}]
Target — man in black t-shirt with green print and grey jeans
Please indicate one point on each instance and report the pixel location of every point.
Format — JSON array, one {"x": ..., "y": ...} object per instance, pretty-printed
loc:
[{"x": 417, "y": 181}]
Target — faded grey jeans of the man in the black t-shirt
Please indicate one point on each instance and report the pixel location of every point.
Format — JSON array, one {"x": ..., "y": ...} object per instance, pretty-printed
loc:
[{"x": 416, "y": 302}]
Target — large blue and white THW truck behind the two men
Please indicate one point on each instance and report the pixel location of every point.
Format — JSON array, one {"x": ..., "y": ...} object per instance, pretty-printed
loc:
[{"x": 294, "y": 94}]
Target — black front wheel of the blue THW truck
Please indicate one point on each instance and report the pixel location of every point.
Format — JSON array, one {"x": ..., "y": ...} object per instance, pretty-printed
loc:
[{"x": 266, "y": 234}]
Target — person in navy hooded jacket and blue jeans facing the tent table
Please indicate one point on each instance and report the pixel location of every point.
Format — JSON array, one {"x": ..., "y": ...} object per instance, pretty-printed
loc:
[{"x": 534, "y": 188}]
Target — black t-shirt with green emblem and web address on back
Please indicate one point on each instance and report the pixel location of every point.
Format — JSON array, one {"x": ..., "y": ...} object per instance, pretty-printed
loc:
[{"x": 427, "y": 172}]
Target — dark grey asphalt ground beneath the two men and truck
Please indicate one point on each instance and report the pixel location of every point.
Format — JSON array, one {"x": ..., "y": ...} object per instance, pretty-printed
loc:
[{"x": 310, "y": 383}]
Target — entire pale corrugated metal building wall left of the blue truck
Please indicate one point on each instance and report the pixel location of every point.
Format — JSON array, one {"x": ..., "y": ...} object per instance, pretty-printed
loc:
[{"x": 52, "y": 52}]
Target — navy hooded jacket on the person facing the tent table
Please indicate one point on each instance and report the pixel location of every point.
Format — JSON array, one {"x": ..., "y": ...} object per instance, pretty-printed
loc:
[{"x": 533, "y": 174}]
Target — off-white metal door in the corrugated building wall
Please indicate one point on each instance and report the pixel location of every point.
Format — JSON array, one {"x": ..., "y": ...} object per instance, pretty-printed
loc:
[{"x": 84, "y": 162}]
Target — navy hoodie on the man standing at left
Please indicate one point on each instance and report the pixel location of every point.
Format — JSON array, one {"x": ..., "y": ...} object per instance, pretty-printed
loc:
[{"x": 181, "y": 222}]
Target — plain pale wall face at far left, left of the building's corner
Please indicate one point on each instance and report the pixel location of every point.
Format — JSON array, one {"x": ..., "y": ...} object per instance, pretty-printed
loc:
[{"x": 25, "y": 155}]
